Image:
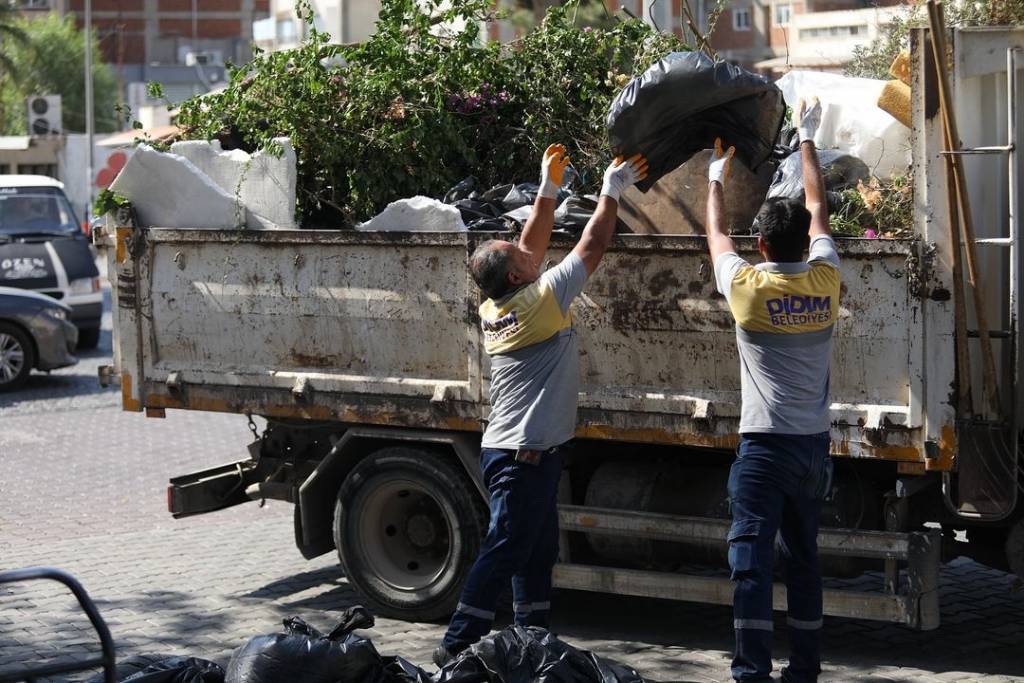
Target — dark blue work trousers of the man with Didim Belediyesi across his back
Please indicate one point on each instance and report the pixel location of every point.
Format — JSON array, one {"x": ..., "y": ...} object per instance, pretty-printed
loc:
[{"x": 777, "y": 486}]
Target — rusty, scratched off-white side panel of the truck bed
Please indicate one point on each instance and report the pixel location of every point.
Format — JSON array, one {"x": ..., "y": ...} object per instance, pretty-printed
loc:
[{"x": 381, "y": 329}]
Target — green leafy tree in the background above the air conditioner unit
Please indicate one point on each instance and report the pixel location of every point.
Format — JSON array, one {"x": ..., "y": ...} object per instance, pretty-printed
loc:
[{"x": 51, "y": 60}]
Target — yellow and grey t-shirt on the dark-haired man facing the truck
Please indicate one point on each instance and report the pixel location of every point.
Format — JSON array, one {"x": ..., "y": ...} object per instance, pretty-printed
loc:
[{"x": 785, "y": 317}]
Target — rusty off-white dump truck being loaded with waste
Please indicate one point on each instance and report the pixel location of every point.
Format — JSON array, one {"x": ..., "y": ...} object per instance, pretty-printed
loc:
[{"x": 363, "y": 353}]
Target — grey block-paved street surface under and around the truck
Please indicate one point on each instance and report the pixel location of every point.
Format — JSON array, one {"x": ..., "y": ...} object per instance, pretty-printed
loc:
[{"x": 82, "y": 488}]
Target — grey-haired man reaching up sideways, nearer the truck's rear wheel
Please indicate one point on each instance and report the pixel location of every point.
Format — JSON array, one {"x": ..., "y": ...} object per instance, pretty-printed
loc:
[{"x": 535, "y": 385}]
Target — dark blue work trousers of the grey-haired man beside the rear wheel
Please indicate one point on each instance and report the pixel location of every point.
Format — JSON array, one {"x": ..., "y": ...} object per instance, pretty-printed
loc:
[{"x": 522, "y": 546}]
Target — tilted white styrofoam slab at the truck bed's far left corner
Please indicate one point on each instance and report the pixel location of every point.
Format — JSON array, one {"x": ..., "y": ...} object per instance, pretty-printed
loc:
[{"x": 168, "y": 191}]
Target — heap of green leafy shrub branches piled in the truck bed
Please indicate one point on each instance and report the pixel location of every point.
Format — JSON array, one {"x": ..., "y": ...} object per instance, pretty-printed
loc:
[{"x": 428, "y": 102}]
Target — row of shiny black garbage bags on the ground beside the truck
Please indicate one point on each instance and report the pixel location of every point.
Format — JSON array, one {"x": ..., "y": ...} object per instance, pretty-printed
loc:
[{"x": 302, "y": 653}]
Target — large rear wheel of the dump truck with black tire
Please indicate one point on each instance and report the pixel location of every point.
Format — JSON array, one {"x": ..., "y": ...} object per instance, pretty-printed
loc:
[{"x": 408, "y": 526}]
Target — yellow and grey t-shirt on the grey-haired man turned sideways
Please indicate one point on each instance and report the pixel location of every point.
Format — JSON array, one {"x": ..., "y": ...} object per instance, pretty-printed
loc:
[{"x": 535, "y": 361}]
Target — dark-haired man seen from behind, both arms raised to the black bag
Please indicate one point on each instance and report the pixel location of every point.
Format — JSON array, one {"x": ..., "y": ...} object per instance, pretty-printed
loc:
[{"x": 786, "y": 310}]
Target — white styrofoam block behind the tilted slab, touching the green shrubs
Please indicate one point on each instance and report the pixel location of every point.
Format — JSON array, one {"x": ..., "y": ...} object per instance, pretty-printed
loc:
[{"x": 266, "y": 184}]
